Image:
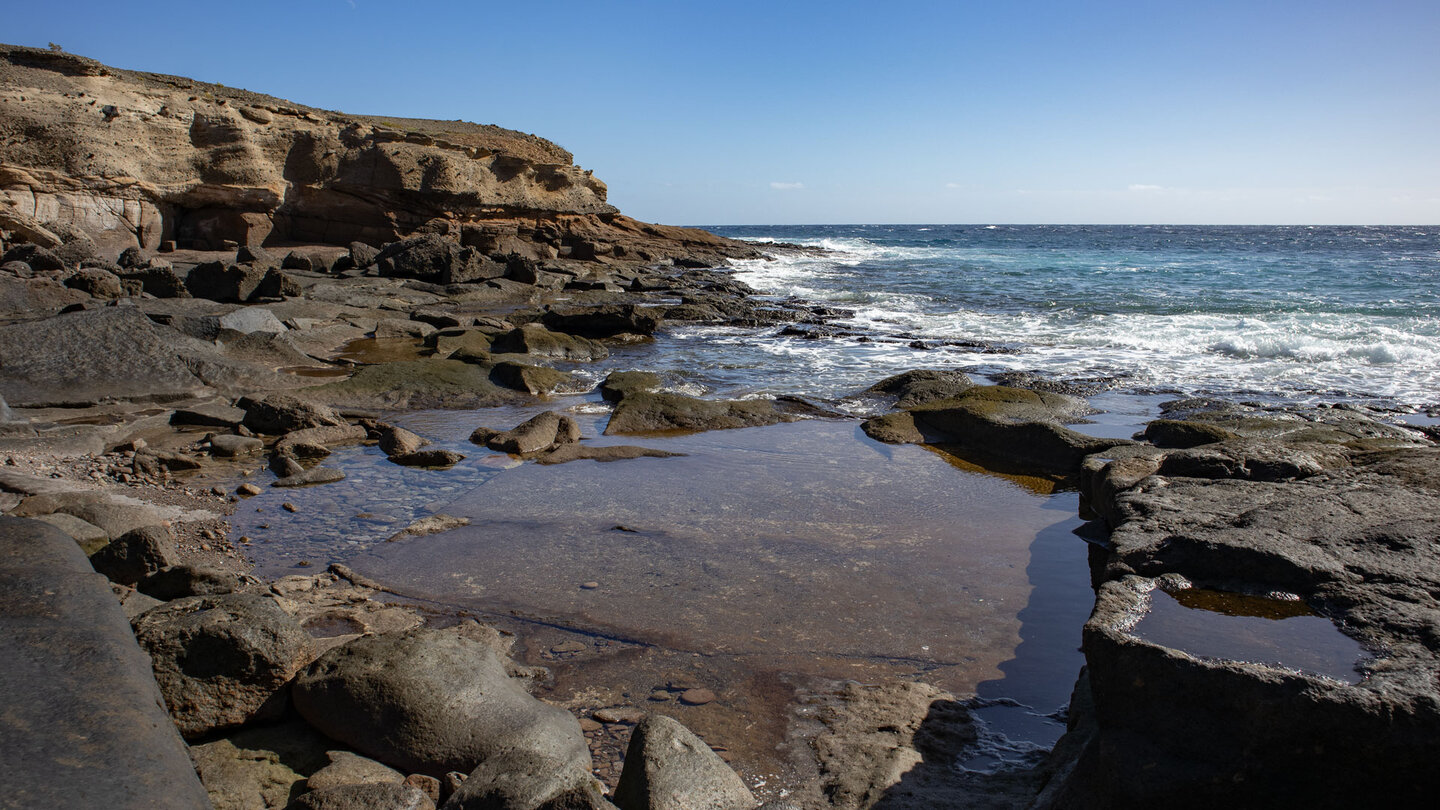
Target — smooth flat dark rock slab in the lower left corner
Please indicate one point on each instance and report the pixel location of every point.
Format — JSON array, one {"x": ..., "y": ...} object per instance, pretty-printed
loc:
[{"x": 84, "y": 726}]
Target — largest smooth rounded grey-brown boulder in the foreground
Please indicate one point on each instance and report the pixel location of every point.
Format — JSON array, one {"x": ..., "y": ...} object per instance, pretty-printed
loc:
[{"x": 433, "y": 703}]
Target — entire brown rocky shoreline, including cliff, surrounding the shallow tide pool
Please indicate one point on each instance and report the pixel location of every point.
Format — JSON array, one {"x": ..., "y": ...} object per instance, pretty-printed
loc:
[{"x": 155, "y": 358}]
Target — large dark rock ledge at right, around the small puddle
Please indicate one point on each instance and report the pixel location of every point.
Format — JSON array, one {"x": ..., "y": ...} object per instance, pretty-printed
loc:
[{"x": 1169, "y": 729}]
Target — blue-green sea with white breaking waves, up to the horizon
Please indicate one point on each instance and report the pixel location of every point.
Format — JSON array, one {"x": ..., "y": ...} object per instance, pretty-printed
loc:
[{"x": 1274, "y": 313}]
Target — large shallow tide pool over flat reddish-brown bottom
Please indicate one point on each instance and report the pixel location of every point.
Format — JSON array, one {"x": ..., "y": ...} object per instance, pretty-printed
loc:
[{"x": 757, "y": 566}]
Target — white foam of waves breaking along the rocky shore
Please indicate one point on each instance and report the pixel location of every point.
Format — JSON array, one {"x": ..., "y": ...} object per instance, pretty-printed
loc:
[{"x": 1290, "y": 354}]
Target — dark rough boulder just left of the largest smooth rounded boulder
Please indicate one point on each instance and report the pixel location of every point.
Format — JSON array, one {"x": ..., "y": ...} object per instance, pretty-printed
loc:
[{"x": 222, "y": 661}]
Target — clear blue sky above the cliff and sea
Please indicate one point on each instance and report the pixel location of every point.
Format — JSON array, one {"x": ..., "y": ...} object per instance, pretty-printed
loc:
[{"x": 1256, "y": 112}]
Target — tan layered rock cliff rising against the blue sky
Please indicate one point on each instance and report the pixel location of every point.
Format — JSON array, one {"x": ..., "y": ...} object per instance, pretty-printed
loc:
[{"x": 135, "y": 158}]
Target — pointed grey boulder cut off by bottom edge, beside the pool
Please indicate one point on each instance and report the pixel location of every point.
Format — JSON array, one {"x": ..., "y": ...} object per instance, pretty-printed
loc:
[{"x": 667, "y": 767}]
